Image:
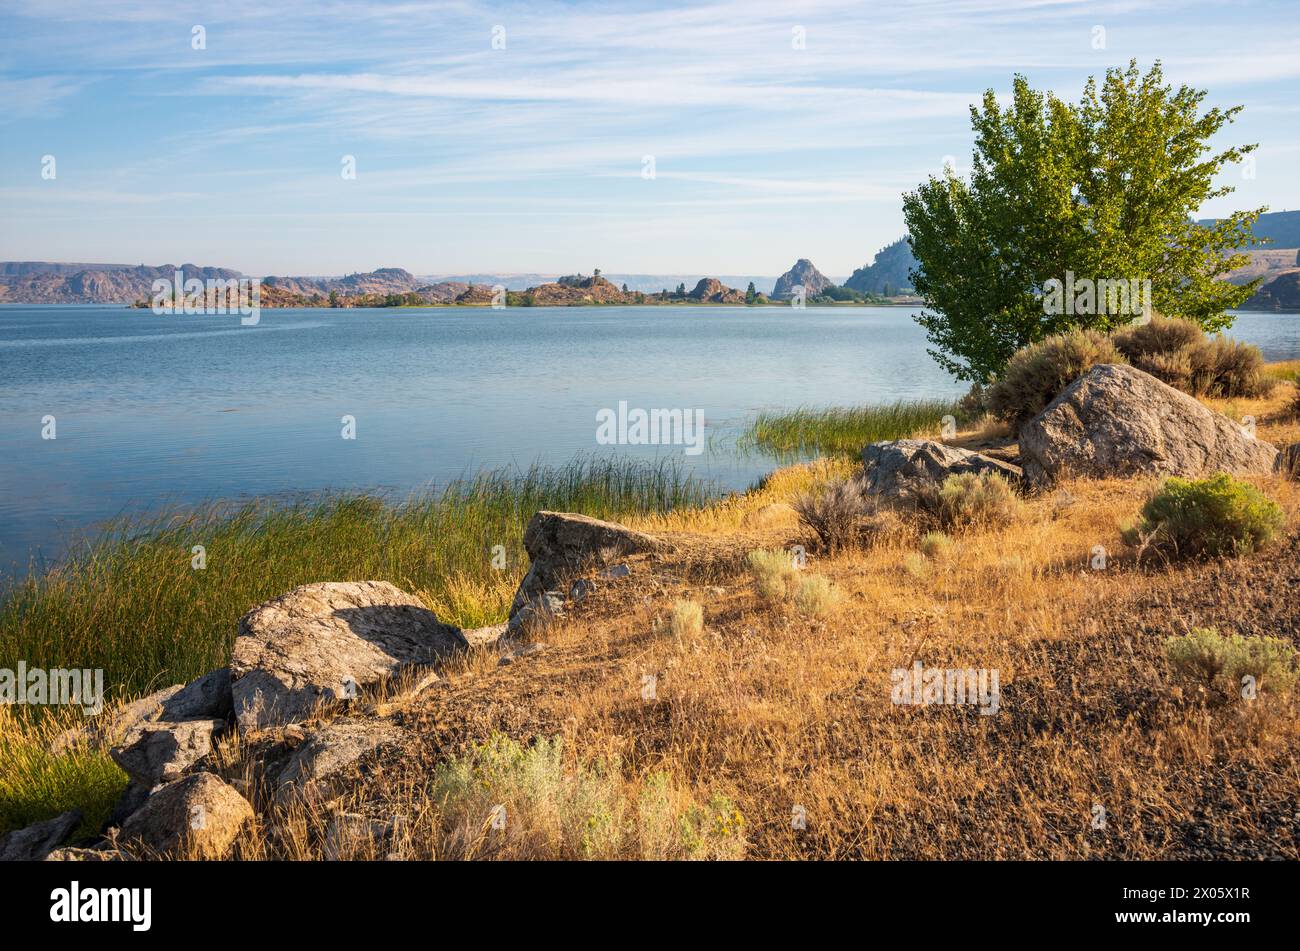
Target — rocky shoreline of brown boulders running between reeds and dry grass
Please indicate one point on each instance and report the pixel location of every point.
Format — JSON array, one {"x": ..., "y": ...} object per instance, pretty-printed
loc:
[{"x": 318, "y": 674}]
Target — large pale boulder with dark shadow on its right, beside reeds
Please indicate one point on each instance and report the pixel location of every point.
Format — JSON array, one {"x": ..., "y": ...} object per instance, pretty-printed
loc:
[{"x": 324, "y": 642}]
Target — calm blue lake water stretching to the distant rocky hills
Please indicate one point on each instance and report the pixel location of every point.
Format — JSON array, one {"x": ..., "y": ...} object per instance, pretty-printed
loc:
[{"x": 159, "y": 411}]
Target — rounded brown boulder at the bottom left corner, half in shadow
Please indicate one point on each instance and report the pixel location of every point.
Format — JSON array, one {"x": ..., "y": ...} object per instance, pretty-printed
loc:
[{"x": 196, "y": 818}]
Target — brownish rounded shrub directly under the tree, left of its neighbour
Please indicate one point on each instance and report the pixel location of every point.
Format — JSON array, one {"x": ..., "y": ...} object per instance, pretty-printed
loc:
[{"x": 1038, "y": 374}]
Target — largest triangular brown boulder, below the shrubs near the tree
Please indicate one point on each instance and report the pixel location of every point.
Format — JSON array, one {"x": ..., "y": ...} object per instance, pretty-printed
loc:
[{"x": 1117, "y": 422}]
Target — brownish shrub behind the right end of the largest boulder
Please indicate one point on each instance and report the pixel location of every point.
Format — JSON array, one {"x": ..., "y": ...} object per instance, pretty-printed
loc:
[{"x": 1178, "y": 353}]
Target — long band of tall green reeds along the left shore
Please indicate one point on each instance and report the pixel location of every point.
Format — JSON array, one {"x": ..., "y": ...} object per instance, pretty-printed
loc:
[{"x": 131, "y": 603}]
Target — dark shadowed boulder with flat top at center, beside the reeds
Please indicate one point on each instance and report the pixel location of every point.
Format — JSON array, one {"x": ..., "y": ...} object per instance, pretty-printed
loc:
[{"x": 562, "y": 544}]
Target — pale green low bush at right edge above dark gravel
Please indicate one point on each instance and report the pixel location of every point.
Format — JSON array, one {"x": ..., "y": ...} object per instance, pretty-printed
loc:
[{"x": 1214, "y": 661}]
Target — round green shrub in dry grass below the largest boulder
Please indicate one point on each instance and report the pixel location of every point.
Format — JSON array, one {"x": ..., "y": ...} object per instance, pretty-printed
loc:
[{"x": 1206, "y": 518}]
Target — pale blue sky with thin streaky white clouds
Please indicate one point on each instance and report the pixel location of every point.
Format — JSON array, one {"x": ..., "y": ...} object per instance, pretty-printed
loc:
[{"x": 530, "y": 158}]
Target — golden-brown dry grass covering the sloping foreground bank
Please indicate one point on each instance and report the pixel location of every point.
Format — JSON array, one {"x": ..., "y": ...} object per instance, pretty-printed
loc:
[{"x": 768, "y": 714}]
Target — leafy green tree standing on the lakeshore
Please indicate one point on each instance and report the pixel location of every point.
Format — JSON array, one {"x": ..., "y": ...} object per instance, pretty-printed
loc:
[{"x": 1103, "y": 190}]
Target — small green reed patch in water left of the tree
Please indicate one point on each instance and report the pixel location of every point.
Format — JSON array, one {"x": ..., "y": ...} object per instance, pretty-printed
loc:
[{"x": 844, "y": 431}]
